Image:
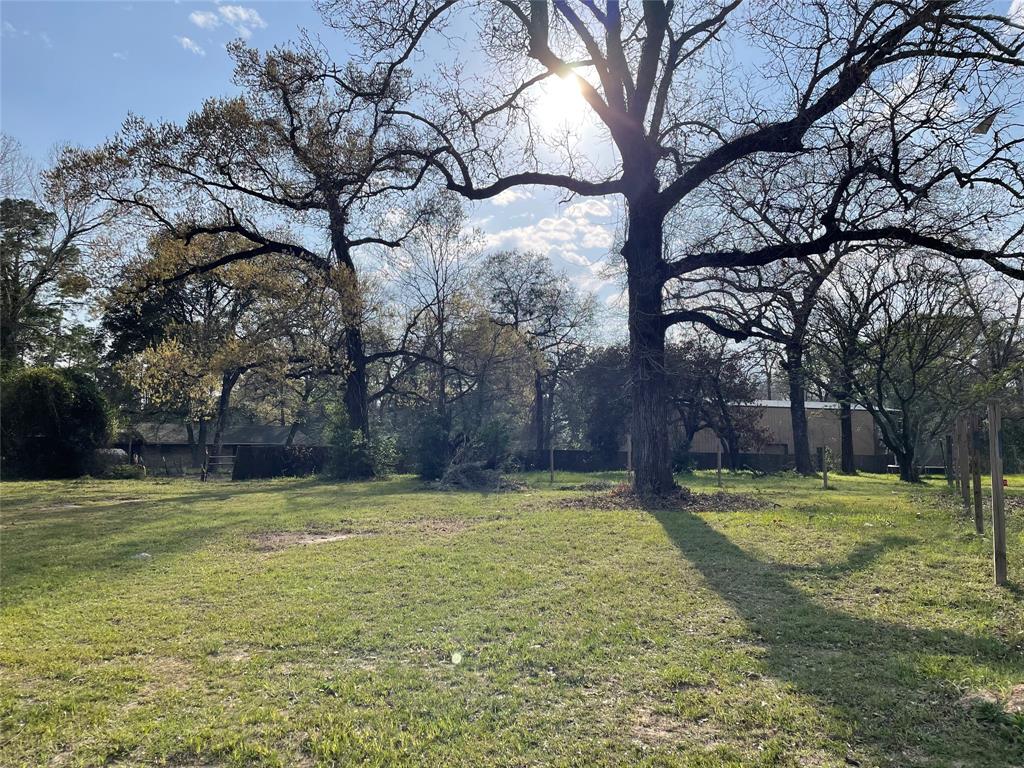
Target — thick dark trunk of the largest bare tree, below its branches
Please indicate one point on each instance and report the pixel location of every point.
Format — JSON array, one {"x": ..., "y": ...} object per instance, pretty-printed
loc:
[{"x": 652, "y": 458}]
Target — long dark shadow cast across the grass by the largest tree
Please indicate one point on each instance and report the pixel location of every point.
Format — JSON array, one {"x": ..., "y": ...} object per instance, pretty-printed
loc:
[{"x": 893, "y": 687}]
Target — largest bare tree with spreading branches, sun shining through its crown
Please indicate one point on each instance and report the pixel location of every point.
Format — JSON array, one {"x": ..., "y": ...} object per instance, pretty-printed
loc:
[{"x": 677, "y": 117}]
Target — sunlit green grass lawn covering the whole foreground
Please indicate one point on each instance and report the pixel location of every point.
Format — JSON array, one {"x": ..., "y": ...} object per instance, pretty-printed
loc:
[{"x": 301, "y": 623}]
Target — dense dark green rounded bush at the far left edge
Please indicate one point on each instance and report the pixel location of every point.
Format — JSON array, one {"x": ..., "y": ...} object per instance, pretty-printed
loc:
[{"x": 53, "y": 420}]
